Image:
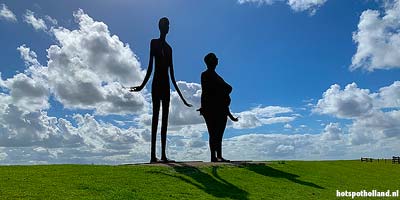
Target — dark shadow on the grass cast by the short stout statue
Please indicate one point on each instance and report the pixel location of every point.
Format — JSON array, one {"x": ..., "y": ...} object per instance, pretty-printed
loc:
[{"x": 271, "y": 172}]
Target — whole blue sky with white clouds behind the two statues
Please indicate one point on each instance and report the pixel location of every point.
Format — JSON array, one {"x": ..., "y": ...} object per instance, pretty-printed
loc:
[{"x": 312, "y": 79}]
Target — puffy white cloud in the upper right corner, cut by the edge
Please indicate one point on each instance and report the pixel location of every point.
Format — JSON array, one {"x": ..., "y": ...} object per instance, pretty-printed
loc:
[{"x": 378, "y": 39}]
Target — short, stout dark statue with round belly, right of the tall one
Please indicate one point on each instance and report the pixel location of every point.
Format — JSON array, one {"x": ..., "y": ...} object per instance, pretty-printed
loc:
[{"x": 215, "y": 103}]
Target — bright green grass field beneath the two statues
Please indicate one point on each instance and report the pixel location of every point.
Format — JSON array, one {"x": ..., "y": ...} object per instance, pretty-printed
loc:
[{"x": 288, "y": 180}]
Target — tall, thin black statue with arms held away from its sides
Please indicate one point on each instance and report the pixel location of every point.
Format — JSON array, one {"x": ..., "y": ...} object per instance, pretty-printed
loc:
[{"x": 161, "y": 52}]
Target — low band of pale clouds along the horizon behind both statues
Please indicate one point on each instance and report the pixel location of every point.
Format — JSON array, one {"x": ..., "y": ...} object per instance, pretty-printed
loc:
[{"x": 41, "y": 139}]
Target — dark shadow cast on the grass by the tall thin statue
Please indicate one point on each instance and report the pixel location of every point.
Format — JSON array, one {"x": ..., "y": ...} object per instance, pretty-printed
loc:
[{"x": 213, "y": 185}]
